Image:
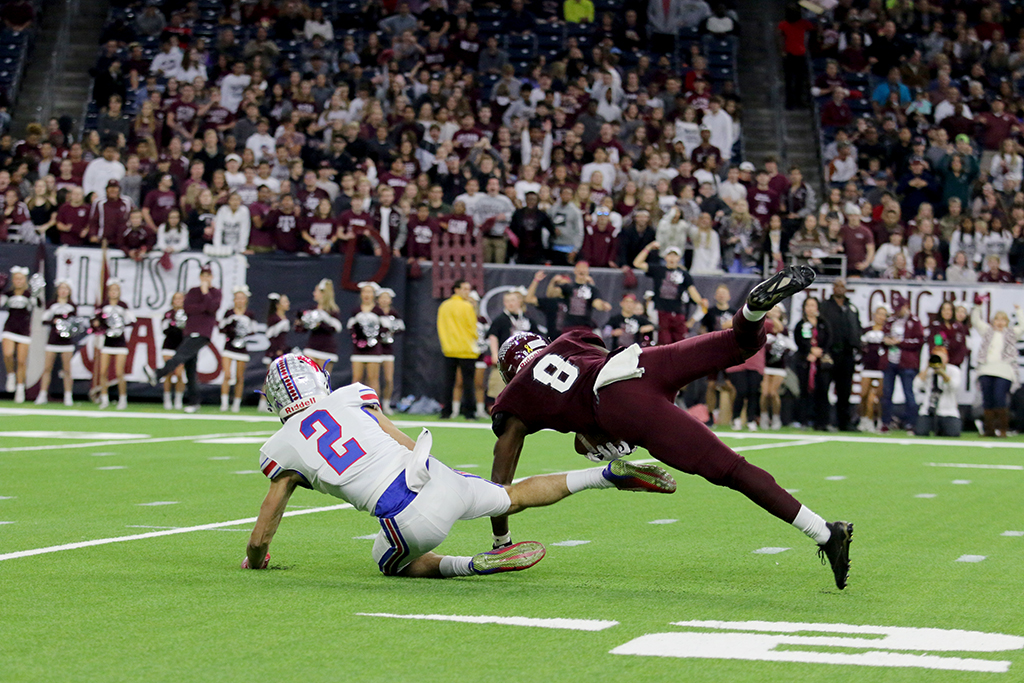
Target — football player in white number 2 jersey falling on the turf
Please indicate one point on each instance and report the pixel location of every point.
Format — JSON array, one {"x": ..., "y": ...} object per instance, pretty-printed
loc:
[{"x": 343, "y": 445}]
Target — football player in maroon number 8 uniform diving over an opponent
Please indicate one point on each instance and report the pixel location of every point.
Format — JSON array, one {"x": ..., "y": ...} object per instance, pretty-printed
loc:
[{"x": 613, "y": 401}]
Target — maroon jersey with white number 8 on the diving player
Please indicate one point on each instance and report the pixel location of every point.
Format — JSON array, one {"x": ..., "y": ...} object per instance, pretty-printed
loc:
[{"x": 556, "y": 391}]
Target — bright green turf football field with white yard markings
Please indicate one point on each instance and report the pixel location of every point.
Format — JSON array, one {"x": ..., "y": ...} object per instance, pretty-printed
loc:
[{"x": 641, "y": 602}]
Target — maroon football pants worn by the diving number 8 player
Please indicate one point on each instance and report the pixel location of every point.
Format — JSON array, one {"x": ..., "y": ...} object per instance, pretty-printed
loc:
[{"x": 644, "y": 412}]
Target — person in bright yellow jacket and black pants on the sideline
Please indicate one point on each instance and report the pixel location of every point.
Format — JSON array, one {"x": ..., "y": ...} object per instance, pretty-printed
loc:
[{"x": 457, "y": 332}]
